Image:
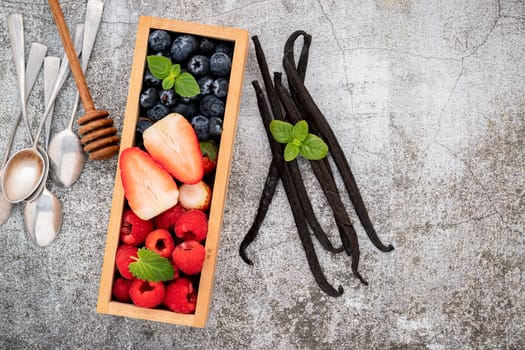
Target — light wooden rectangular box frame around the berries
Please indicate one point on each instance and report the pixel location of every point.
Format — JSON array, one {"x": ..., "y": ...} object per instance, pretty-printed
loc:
[{"x": 239, "y": 38}]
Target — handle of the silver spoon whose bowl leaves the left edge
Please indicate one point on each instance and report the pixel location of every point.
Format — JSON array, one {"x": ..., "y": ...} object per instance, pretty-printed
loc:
[{"x": 34, "y": 63}]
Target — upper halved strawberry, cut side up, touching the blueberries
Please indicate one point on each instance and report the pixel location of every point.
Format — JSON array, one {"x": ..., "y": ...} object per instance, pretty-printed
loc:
[{"x": 173, "y": 143}]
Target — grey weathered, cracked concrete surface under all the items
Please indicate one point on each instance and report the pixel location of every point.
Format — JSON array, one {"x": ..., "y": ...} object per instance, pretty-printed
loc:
[{"x": 426, "y": 99}]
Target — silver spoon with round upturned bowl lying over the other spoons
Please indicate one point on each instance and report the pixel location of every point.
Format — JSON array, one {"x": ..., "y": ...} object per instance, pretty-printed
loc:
[{"x": 26, "y": 169}]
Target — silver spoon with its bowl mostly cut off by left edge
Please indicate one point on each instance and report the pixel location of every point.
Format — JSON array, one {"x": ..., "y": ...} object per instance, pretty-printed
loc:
[{"x": 34, "y": 63}]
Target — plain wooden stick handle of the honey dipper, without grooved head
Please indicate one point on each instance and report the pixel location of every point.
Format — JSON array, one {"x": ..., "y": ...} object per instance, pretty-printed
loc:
[{"x": 76, "y": 70}]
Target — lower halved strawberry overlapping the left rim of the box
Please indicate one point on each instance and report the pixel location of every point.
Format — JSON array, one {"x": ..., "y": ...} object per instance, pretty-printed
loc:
[{"x": 148, "y": 187}]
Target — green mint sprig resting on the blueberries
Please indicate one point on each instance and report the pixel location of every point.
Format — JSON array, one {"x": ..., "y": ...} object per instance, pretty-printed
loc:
[{"x": 171, "y": 76}]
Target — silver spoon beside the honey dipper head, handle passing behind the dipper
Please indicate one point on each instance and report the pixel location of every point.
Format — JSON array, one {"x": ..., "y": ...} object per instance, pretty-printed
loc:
[{"x": 65, "y": 150}]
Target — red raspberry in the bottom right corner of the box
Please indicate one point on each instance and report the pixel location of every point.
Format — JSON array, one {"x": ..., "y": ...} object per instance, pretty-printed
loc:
[{"x": 180, "y": 296}]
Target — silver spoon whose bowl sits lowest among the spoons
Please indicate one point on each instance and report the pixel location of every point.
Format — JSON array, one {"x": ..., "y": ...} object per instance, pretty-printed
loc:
[{"x": 43, "y": 216}]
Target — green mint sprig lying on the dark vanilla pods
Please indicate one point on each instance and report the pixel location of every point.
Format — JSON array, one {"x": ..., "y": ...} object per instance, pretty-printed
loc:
[{"x": 298, "y": 140}]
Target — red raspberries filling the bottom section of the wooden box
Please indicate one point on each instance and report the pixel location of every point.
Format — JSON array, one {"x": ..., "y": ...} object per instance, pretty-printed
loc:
[{"x": 178, "y": 235}]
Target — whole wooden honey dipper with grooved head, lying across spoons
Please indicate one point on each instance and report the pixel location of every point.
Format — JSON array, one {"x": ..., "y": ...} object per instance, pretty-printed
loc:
[{"x": 98, "y": 133}]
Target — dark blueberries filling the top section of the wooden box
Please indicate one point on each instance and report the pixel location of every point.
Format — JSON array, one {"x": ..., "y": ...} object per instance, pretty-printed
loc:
[{"x": 209, "y": 61}]
